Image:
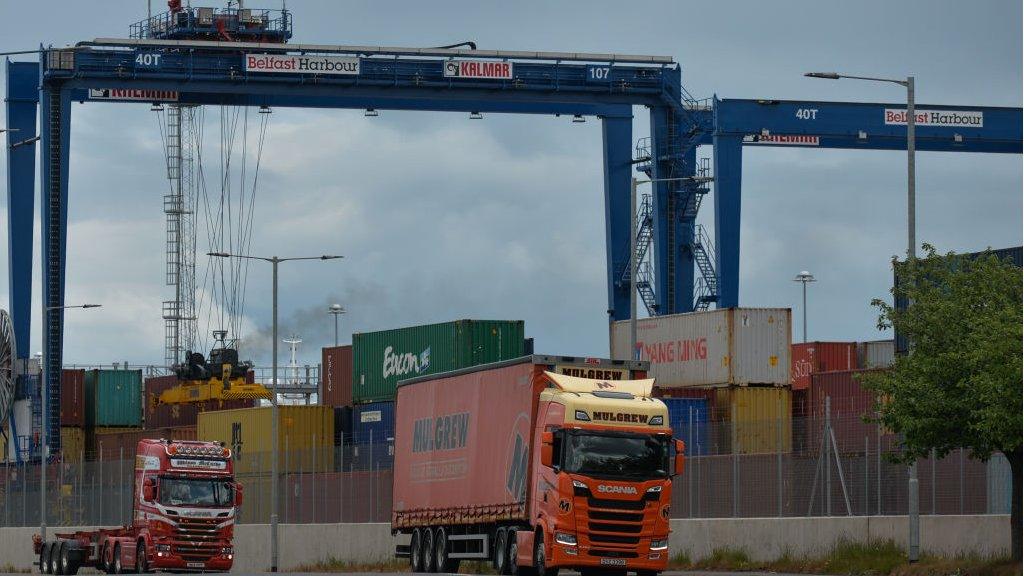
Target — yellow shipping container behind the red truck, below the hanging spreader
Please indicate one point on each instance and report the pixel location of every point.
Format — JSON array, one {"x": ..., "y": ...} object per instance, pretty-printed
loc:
[{"x": 306, "y": 437}]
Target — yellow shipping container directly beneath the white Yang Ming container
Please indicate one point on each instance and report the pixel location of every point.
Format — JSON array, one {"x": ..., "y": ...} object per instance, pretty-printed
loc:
[{"x": 757, "y": 421}]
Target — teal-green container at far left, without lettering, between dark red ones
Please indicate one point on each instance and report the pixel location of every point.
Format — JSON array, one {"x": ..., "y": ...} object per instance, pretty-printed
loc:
[{"x": 113, "y": 398}]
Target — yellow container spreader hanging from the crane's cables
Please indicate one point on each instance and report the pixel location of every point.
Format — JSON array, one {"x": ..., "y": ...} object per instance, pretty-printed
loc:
[{"x": 221, "y": 378}]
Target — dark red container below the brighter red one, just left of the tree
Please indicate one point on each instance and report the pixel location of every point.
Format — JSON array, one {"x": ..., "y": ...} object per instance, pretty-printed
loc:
[{"x": 849, "y": 403}]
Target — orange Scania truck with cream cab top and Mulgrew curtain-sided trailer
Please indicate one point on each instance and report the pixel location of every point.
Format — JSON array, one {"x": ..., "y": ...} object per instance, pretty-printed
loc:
[{"x": 535, "y": 465}]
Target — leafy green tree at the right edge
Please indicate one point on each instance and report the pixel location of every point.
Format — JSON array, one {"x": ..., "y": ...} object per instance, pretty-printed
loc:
[{"x": 961, "y": 386}]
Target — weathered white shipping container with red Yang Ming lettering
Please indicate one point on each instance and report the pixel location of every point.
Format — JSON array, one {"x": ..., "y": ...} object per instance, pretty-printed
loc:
[{"x": 730, "y": 347}]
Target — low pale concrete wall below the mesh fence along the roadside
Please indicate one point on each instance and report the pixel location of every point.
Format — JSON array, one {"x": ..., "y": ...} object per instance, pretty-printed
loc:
[{"x": 762, "y": 539}]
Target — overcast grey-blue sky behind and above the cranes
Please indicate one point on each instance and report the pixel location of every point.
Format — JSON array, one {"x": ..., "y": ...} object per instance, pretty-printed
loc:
[{"x": 441, "y": 218}]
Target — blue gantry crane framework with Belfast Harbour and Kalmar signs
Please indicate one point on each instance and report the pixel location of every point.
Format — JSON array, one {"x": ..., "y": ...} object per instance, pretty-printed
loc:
[{"x": 231, "y": 58}]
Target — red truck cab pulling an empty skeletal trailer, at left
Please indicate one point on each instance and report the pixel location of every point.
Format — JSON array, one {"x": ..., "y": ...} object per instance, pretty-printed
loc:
[{"x": 185, "y": 506}]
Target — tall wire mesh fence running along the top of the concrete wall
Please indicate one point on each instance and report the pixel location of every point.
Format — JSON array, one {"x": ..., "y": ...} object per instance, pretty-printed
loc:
[{"x": 778, "y": 468}]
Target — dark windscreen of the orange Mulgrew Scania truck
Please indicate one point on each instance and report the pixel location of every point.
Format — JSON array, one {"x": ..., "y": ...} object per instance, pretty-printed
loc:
[{"x": 617, "y": 456}]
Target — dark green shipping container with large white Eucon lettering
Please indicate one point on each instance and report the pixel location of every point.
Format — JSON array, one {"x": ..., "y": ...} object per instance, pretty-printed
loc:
[{"x": 380, "y": 360}]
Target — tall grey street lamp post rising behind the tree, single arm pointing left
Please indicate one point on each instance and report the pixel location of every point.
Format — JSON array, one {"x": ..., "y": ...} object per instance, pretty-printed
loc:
[{"x": 914, "y": 510}]
